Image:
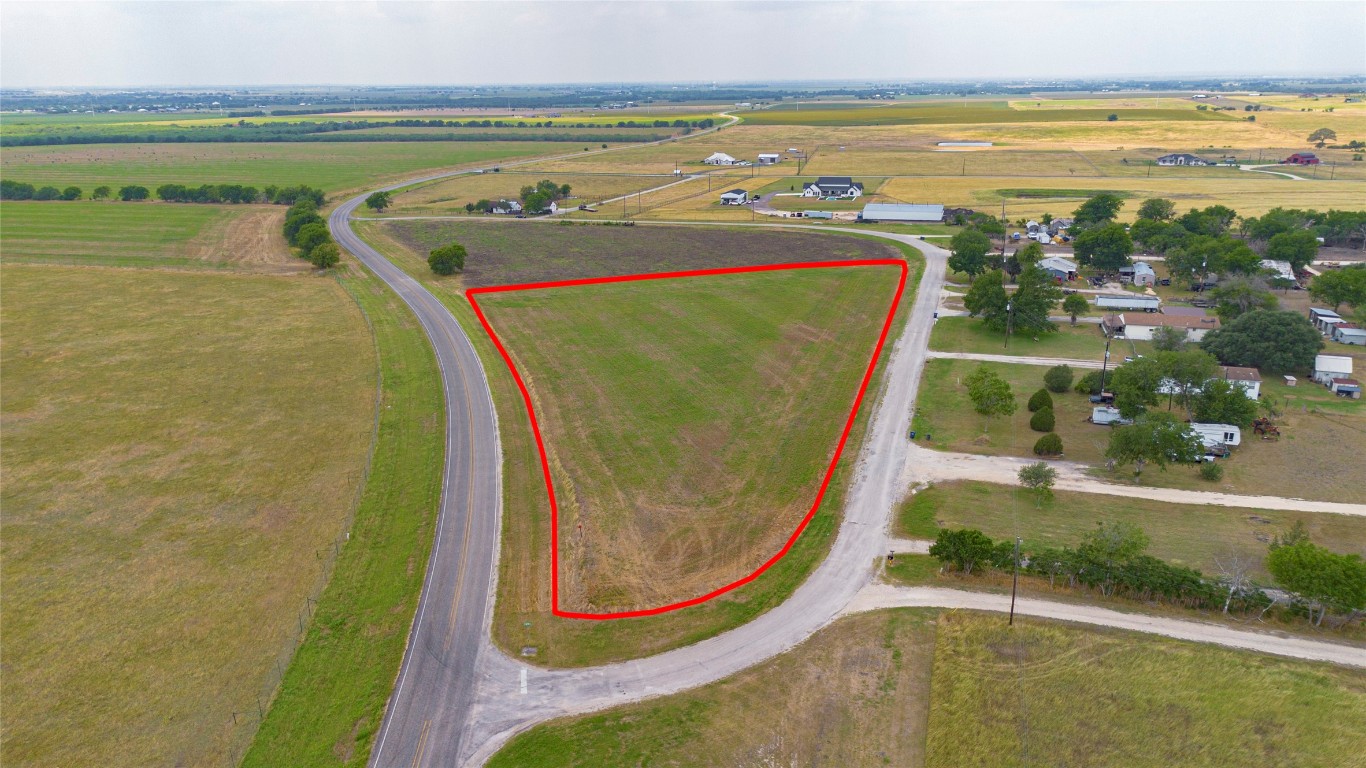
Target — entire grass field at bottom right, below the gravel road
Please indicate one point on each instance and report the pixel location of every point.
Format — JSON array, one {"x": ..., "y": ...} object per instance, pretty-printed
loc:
[{"x": 900, "y": 688}]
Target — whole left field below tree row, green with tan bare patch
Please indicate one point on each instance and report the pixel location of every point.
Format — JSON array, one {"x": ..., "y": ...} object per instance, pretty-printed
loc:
[{"x": 147, "y": 234}]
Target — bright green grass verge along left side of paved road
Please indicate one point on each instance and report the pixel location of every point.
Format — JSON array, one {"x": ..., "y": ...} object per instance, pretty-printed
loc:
[{"x": 333, "y": 700}]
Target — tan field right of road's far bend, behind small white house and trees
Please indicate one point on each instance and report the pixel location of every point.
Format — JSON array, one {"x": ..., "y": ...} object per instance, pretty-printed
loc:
[{"x": 450, "y": 196}]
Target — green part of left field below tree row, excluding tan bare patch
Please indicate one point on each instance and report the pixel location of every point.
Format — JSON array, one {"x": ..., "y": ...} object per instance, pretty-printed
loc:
[{"x": 115, "y": 234}]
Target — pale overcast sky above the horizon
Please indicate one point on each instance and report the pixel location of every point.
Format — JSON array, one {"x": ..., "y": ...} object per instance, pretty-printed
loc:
[{"x": 395, "y": 43}]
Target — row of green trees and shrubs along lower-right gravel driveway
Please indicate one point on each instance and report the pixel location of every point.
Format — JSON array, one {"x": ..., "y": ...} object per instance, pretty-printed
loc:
[{"x": 1113, "y": 561}]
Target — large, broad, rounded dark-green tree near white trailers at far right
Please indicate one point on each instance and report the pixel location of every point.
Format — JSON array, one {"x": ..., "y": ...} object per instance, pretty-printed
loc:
[{"x": 1275, "y": 342}]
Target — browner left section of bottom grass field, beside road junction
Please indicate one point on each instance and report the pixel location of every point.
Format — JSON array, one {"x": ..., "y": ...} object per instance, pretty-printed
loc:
[{"x": 853, "y": 695}]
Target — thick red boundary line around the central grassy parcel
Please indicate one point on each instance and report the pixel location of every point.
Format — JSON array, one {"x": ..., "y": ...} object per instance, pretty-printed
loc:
[{"x": 540, "y": 446}]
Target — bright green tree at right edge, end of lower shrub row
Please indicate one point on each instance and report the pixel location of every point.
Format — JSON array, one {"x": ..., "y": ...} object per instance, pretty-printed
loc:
[{"x": 1322, "y": 579}]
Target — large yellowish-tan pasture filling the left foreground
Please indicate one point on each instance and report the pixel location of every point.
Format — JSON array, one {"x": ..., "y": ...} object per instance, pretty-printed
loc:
[{"x": 169, "y": 505}]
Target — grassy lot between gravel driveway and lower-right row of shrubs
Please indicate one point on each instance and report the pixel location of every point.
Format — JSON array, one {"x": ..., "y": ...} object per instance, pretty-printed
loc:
[{"x": 1190, "y": 535}]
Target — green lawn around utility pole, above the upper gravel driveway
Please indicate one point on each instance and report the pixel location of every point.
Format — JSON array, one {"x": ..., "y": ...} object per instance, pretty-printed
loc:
[{"x": 1078, "y": 342}]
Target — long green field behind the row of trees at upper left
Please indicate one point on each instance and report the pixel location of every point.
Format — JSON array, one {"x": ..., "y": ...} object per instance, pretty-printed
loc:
[{"x": 334, "y": 167}]
